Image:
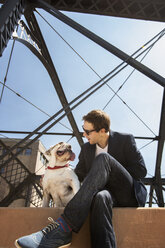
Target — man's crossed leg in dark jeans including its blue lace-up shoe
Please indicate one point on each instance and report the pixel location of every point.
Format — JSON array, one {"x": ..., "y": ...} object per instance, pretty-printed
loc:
[{"x": 105, "y": 172}]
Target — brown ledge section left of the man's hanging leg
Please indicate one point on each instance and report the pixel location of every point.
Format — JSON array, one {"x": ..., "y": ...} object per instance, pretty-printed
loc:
[{"x": 17, "y": 222}]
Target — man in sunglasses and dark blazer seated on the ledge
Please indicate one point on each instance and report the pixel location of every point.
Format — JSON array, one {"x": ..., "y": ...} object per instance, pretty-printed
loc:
[{"x": 110, "y": 168}]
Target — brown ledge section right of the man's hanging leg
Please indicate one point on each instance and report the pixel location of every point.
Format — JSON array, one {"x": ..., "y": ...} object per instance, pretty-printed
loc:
[{"x": 140, "y": 228}]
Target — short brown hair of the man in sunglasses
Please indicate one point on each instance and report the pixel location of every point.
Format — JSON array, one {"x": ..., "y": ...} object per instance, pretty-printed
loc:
[{"x": 99, "y": 119}]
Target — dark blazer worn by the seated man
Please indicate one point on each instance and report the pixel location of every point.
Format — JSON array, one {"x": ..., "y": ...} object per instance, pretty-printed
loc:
[{"x": 123, "y": 148}]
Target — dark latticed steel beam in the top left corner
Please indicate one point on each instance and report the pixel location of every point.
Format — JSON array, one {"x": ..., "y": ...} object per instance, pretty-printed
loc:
[{"x": 10, "y": 13}]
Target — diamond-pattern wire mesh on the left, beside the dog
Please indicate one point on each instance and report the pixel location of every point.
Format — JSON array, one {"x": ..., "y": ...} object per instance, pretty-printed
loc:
[{"x": 14, "y": 173}]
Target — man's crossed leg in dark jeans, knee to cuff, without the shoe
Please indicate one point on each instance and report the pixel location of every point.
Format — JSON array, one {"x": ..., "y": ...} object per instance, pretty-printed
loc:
[{"x": 106, "y": 172}]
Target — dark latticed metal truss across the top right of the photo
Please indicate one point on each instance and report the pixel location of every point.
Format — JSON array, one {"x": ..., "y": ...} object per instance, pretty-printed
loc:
[{"x": 137, "y": 9}]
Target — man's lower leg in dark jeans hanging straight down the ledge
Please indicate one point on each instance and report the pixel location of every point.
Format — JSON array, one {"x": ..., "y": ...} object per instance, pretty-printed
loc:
[{"x": 101, "y": 228}]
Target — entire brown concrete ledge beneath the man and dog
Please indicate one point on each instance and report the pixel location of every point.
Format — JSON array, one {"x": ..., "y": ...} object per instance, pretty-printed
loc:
[{"x": 134, "y": 227}]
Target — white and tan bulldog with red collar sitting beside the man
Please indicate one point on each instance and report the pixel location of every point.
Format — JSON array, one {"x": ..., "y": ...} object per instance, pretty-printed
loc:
[{"x": 60, "y": 184}]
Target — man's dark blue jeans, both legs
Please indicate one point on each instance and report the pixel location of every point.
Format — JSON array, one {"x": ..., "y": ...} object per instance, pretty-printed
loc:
[{"x": 107, "y": 184}]
